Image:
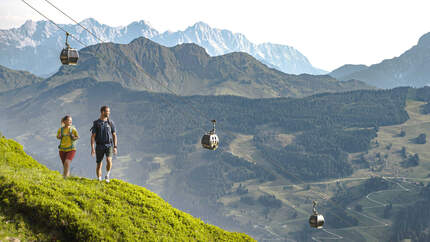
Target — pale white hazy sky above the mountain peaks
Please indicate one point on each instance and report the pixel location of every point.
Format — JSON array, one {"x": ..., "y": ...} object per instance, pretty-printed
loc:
[{"x": 329, "y": 33}]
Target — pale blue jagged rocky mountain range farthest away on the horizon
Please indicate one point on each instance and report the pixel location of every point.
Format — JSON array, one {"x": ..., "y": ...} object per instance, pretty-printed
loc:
[{"x": 35, "y": 46}]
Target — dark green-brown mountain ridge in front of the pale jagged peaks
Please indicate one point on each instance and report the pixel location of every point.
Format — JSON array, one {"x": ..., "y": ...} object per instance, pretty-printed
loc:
[{"x": 187, "y": 69}]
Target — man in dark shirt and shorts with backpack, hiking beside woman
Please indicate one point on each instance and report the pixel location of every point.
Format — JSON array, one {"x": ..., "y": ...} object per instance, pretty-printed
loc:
[{"x": 105, "y": 139}]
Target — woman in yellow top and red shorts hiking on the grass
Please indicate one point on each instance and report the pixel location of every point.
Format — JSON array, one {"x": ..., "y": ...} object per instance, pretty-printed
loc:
[{"x": 67, "y": 135}]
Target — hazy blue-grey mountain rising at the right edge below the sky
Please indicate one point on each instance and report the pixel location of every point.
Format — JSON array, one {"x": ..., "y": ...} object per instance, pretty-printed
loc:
[{"x": 412, "y": 68}]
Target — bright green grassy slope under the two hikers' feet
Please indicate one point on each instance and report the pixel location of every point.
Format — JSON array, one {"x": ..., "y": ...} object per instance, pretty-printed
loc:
[{"x": 84, "y": 209}]
